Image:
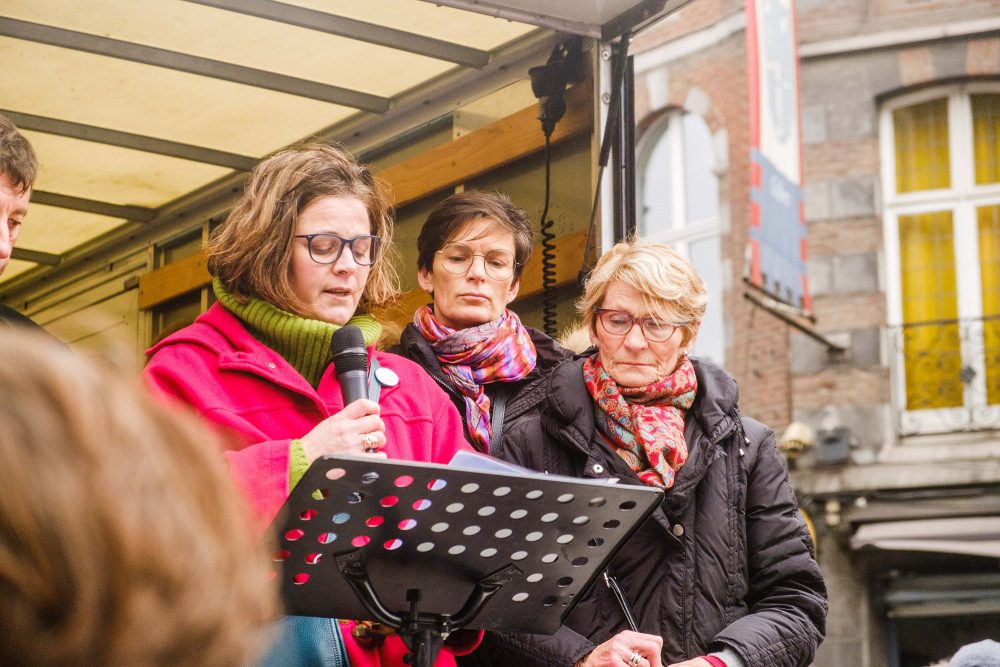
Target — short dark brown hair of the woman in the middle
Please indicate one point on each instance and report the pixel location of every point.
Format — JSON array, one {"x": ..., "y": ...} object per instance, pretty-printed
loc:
[{"x": 445, "y": 222}]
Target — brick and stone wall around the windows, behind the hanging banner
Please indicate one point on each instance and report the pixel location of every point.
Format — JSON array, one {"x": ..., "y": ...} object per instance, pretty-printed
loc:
[{"x": 783, "y": 373}]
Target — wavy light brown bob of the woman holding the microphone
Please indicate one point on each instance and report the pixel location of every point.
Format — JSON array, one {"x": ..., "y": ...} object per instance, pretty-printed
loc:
[{"x": 251, "y": 251}]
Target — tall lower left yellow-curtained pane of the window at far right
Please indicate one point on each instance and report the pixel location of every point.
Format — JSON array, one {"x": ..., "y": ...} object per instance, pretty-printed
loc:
[{"x": 931, "y": 338}]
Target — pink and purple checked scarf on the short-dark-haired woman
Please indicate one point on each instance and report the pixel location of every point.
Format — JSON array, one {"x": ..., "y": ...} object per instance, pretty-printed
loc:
[{"x": 498, "y": 351}]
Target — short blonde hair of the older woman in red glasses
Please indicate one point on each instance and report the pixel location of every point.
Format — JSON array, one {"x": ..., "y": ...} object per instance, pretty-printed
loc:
[{"x": 670, "y": 286}]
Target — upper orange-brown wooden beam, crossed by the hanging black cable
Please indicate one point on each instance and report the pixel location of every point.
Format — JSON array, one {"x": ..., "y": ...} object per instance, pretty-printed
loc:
[{"x": 494, "y": 145}]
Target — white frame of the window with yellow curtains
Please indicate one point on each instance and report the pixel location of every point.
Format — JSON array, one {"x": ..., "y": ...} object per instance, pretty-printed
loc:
[{"x": 961, "y": 198}]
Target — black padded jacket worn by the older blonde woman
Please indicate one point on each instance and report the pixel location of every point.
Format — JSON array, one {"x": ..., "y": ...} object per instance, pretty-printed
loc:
[{"x": 726, "y": 561}]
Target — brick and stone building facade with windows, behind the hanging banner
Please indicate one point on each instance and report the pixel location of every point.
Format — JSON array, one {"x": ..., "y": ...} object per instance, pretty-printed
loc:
[{"x": 900, "y": 117}]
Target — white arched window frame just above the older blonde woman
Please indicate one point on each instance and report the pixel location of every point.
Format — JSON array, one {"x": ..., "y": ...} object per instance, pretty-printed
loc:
[{"x": 683, "y": 234}]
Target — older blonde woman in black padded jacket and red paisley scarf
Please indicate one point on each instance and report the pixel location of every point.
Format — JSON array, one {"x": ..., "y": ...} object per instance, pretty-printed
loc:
[{"x": 722, "y": 574}]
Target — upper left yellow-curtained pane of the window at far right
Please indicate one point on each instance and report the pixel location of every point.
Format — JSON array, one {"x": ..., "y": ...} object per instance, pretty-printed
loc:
[{"x": 923, "y": 160}]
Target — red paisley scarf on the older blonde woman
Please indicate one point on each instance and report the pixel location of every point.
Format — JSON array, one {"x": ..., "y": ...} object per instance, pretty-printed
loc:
[{"x": 646, "y": 423}]
